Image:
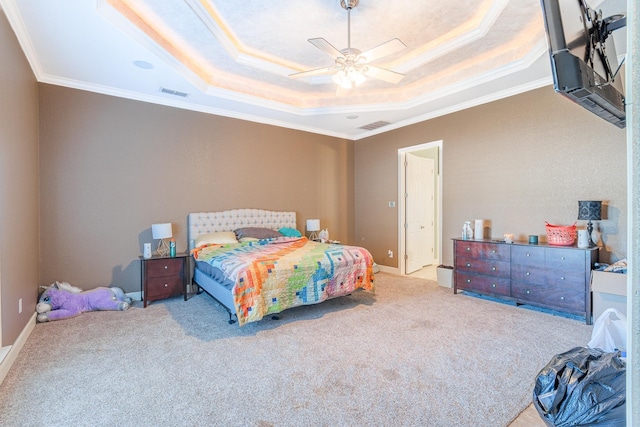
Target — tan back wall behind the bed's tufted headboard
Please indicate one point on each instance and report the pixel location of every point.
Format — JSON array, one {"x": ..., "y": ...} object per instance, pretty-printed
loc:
[{"x": 111, "y": 167}]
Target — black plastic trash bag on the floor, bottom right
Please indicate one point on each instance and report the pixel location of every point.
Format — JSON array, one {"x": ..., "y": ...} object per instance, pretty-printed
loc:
[{"x": 583, "y": 386}]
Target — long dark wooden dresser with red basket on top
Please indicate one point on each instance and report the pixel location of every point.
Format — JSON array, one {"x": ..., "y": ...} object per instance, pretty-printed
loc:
[{"x": 552, "y": 277}]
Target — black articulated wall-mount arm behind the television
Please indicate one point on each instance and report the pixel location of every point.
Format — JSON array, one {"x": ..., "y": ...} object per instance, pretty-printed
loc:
[{"x": 598, "y": 34}]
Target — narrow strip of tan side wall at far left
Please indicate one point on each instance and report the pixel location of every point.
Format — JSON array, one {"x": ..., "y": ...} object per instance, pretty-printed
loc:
[{"x": 18, "y": 185}]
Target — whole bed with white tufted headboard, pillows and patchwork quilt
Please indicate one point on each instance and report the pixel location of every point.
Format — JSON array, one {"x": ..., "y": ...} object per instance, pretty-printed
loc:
[{"x": 256, "y": 263}]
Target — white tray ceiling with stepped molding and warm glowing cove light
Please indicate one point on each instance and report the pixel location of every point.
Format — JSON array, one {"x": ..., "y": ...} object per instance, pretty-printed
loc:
[{"x": 234, "y": 58}]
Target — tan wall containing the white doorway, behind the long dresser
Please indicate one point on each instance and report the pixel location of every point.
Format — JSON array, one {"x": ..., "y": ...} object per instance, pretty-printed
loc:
[{"x": 518, "y": 162}]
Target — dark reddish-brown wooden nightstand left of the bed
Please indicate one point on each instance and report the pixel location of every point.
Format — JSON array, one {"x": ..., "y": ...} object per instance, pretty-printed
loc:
[{"x": 164, "y": 277}]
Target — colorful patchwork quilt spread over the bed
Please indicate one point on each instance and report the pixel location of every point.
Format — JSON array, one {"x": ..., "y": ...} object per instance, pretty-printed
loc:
[{"x": 272, "y": 275}]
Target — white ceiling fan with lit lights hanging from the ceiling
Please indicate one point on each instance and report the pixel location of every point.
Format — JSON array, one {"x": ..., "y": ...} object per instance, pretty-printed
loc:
[{"x": 352, "y": 66}]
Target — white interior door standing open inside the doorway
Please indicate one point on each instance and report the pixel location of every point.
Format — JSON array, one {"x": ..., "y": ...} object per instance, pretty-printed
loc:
[{"x": 419, "y": 212}]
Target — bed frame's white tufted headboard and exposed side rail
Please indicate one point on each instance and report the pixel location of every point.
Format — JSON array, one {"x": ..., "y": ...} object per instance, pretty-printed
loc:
[{"x": 210, "y": 222}]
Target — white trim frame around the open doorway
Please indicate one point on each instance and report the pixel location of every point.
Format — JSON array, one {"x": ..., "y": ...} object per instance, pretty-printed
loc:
[{"x": 401, "y": 201}]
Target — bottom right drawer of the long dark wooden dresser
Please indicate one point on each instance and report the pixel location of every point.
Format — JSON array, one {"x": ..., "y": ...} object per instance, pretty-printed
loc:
[{"x": 552, "y": 297}]
